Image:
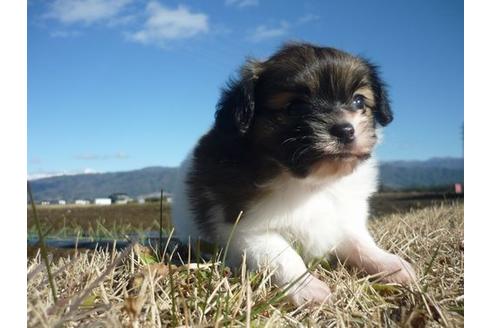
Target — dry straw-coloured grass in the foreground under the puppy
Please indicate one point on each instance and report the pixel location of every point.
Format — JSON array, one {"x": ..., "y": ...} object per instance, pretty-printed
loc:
[{"x": 130, "y": 288}]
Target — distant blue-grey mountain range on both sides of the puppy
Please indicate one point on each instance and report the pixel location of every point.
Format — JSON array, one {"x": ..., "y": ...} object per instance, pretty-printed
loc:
[{"x": 393, "y": 175}]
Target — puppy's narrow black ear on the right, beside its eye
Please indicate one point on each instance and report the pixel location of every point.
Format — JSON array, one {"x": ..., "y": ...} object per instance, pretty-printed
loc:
[{"x": 382, "y": 110}]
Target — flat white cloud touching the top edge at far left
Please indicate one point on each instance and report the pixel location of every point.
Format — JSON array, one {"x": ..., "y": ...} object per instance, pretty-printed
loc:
[{"x": 85, "y": 11}]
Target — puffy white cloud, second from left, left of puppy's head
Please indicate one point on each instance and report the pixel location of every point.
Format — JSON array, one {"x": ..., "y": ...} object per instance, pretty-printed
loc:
[{"x": 165, "y": 24}]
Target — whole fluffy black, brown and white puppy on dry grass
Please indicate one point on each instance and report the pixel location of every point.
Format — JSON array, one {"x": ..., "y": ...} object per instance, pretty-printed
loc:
[{"x": 290, "y": 149}]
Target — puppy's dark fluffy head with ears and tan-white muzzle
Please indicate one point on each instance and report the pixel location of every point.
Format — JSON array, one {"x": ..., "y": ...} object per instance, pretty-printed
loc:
[{"x": 313, "y": 110}]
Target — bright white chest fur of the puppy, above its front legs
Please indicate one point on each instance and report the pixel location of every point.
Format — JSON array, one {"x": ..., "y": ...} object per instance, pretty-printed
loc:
[{"x": 318, "y": 215}]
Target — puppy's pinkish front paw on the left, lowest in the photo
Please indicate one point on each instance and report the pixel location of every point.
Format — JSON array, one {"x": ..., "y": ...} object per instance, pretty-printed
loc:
[{"x": 311, "y": 289}]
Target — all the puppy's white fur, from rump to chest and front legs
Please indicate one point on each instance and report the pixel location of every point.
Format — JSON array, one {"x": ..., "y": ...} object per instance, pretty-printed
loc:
[{"x": 320, "y": 216}]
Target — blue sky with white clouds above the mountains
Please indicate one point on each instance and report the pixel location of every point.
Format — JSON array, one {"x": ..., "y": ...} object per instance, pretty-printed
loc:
[{"x": 124, "y": 84}]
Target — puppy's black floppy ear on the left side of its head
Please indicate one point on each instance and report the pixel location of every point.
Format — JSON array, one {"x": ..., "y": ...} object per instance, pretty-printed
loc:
[{"x": 236, "y": 108}]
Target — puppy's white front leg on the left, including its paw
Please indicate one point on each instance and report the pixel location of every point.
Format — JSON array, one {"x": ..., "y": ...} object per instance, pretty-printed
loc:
[{"x": 272, "y": 250}]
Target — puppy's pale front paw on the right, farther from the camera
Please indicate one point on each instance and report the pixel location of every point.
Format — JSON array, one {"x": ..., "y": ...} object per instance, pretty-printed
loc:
[{"x": 395, "y": 269}]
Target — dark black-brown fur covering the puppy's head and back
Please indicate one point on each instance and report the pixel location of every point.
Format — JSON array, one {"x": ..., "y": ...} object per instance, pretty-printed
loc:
[{"x": 276, "y": 118}]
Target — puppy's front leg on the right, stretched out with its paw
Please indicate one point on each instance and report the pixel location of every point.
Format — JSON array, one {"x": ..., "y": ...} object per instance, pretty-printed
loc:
[{"x": 363, "y": 253}]
